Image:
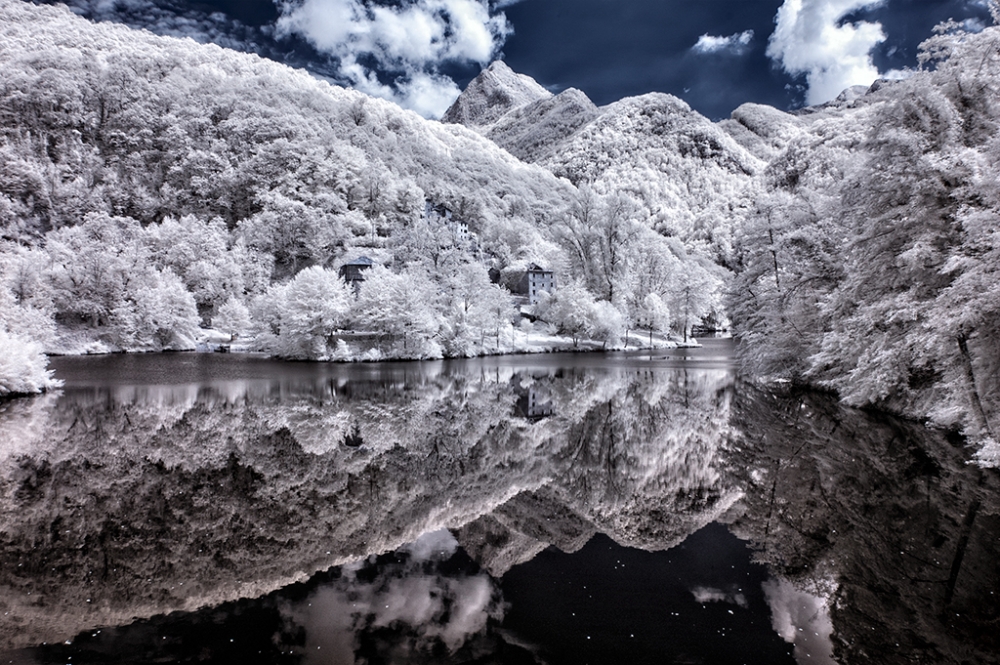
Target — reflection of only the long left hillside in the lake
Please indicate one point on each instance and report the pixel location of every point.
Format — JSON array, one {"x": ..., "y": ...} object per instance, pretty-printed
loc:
[{"x": 170, "y": 501}]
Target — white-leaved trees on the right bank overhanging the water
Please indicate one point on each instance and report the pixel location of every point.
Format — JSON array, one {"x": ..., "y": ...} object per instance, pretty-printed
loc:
[{"x": 870, "y": 263}]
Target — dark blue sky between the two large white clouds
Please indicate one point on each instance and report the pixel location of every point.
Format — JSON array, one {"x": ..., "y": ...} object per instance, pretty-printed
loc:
[{"x": 612, "y": 50}]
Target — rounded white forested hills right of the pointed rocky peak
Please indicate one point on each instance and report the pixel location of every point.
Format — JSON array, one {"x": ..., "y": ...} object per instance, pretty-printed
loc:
[{"x": 691, "y": 175}]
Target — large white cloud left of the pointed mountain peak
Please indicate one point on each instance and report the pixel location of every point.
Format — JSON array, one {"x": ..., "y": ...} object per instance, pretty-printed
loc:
[{"x": 407, "y": 42}]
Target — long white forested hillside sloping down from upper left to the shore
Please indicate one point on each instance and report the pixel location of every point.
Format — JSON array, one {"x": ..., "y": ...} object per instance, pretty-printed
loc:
[{"x": 150, "y": 185}]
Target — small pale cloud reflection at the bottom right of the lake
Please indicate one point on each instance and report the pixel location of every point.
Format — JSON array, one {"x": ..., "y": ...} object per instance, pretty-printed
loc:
[{"x": 801, "y": 619}]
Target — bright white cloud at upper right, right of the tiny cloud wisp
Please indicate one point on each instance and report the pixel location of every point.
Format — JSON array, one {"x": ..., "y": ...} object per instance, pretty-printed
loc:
[{"x": 810, "y": 40}]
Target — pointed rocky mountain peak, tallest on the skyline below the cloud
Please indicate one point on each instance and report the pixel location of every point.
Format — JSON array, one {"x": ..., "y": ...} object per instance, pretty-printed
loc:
[{"x": 497, "y": 90}]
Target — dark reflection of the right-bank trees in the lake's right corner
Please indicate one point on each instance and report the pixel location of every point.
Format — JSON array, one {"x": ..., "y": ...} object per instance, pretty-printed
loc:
[{"x": 884, "y": 515}]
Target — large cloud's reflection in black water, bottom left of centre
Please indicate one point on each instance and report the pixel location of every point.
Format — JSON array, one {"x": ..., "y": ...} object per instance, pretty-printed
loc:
[{"x": 413, "y": 610}]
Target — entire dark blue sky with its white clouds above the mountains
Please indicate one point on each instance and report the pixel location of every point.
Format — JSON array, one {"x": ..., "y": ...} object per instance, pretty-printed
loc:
[{"x": 607, "y": 48}]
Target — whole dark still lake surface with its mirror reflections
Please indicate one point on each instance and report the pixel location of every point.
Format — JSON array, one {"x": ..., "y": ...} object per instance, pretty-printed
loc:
[{"x": 563, "y": 508}]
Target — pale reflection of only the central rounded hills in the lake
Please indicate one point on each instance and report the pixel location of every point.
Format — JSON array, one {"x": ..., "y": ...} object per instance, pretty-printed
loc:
[{"x": 638, "y": 462}]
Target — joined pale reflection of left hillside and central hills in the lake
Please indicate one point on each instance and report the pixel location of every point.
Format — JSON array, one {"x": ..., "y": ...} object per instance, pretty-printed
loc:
[{"x": 133, "y": 502}]
